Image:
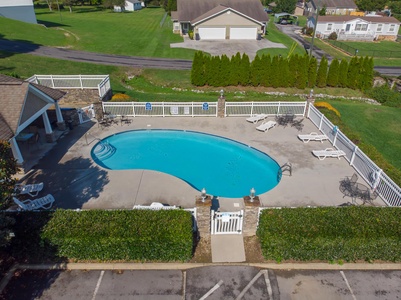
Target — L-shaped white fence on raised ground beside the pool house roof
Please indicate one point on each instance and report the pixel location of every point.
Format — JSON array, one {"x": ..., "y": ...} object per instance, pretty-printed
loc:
[{"x": 99, "y": 82}]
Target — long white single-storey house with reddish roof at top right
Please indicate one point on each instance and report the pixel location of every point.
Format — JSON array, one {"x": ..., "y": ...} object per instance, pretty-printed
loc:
[{"x": 354, "y": 28}]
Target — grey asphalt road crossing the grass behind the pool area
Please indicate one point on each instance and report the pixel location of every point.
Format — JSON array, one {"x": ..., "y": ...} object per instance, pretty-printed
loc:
[{"x": 140, "y": 62}]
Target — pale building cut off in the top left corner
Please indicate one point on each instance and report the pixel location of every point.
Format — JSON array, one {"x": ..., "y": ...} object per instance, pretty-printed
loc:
[{"x": 21, "y": 10}]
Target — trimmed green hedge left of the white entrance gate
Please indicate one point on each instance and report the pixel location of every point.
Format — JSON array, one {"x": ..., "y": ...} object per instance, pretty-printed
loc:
[{"x": 129, "y": 235}]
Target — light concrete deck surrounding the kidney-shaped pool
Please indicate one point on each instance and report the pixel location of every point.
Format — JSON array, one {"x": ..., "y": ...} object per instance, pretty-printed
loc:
[{"x": 76, "y": 181}]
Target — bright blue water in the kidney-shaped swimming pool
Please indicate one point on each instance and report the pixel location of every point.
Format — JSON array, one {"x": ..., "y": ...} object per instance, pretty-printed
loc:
[{"x": 222, "y": 166}]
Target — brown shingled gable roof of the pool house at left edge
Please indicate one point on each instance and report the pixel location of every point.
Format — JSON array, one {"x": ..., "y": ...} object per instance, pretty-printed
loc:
[{"x": 13, "y": 95}]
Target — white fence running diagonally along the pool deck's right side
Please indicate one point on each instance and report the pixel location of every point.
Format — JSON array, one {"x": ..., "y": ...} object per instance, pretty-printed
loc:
[{"x": 366, "y": 168}]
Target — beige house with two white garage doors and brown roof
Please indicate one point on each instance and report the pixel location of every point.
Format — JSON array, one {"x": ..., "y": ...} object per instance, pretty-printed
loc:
[{"x": 220, "y": 19}]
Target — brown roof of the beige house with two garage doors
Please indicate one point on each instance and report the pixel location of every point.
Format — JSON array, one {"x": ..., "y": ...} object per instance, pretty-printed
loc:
[{"x": 195, "y": 10}]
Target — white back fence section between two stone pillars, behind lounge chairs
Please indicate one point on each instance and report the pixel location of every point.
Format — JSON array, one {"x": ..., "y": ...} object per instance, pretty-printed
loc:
[{"x": 238, "y": 109}]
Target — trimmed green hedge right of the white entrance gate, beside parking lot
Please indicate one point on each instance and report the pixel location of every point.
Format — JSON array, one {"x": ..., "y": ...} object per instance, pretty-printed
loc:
[{"x": 331, "y": 234}]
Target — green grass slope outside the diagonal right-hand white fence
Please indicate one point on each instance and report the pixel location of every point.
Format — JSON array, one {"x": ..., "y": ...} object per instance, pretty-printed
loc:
[{"x": 377, "y": 125}]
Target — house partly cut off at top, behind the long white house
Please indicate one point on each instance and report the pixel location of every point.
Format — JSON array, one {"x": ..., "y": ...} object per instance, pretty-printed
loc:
[{"x": 333, "y": 7}]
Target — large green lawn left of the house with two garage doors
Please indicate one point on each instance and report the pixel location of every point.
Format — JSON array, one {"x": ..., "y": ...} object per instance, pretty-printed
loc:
[{"x": 141, "y": 33}]
